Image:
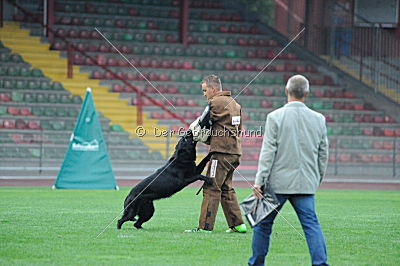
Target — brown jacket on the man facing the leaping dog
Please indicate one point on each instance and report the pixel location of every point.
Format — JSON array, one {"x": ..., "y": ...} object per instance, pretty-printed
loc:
[{"x": 225, "y": 114}]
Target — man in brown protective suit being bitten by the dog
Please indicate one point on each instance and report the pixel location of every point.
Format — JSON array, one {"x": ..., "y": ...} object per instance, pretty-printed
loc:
[{"x": 224, "y": 116}]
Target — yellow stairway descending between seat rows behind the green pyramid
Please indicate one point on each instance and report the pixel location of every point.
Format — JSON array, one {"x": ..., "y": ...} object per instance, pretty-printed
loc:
[{"x": 54, "y": 66}]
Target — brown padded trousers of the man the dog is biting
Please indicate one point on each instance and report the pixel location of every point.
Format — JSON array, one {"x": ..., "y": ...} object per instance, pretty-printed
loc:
[{"x": 221, "y": 167}]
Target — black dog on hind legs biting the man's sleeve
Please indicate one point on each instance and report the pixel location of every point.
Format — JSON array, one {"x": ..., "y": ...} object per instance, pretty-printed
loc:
[{"x": 177, "y": 173}]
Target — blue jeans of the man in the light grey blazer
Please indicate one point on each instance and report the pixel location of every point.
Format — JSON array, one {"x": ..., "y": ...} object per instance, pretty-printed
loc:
[{"x": 305, "y": 209}]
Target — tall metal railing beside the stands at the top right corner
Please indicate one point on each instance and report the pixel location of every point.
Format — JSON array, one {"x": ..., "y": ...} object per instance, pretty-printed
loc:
[{"x": 370, "y": 51}]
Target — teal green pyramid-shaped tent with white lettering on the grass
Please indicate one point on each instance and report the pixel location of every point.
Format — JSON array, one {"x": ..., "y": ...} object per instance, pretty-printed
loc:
[{"x": 86, "y": 163}]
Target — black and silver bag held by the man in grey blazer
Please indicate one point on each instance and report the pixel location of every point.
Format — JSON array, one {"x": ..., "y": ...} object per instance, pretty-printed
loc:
[{"x": 255, "y": 210}]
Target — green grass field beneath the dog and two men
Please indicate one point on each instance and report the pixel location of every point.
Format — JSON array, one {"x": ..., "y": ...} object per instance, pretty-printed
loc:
[{"x": 41, "y": 226}]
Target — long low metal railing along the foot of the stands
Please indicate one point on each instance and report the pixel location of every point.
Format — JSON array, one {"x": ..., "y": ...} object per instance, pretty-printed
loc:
[{"x": 37, "y": 150}]
